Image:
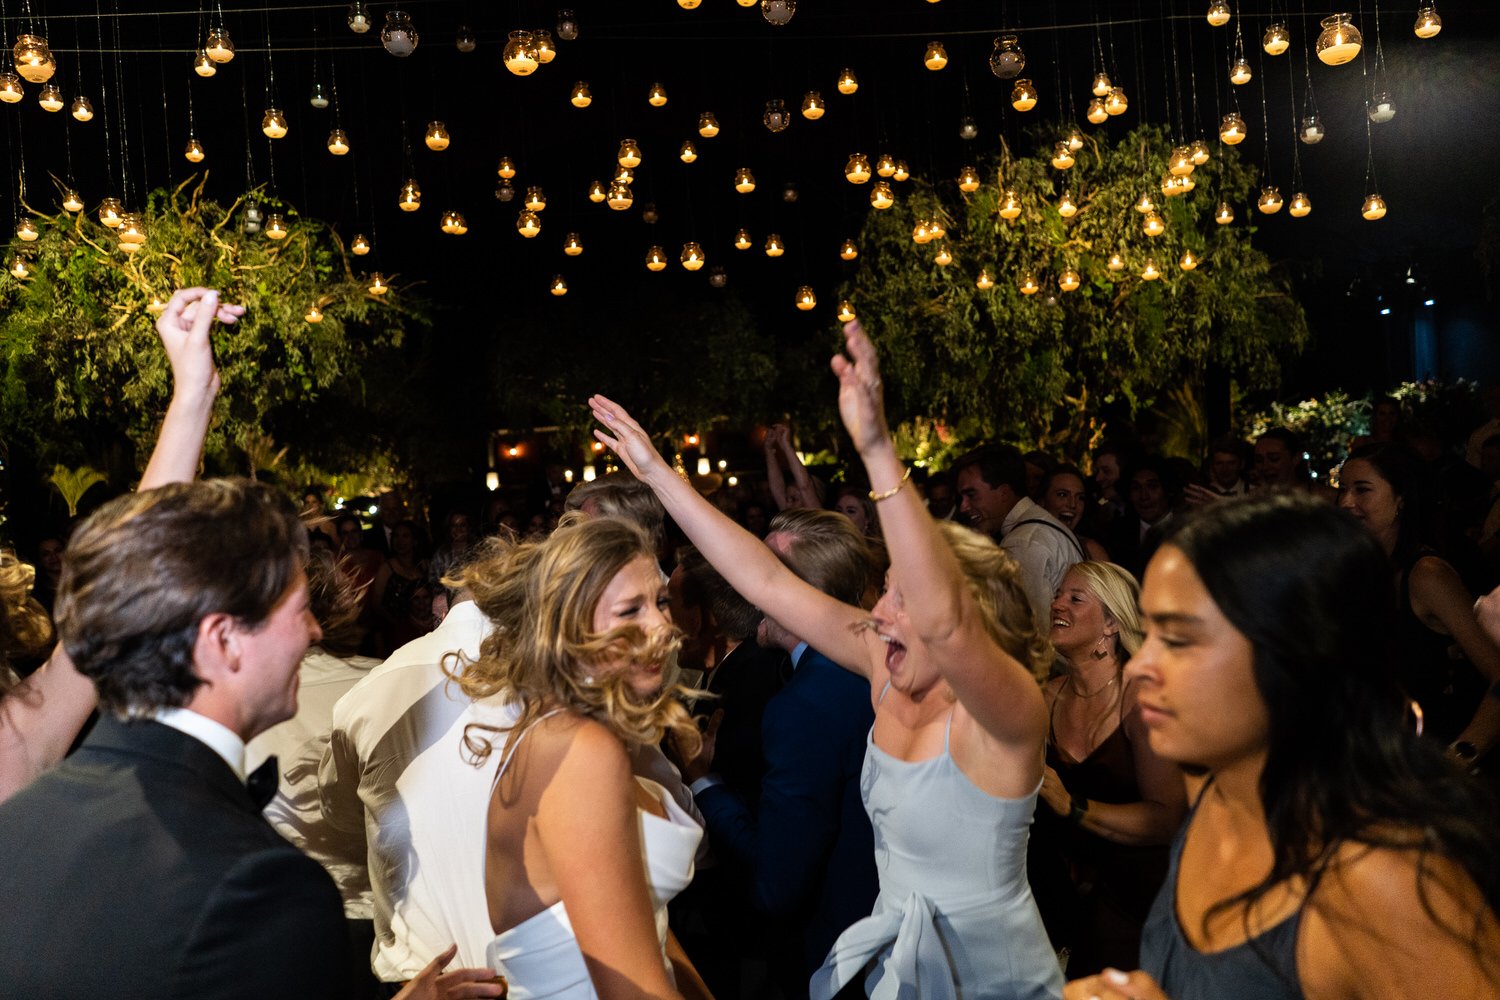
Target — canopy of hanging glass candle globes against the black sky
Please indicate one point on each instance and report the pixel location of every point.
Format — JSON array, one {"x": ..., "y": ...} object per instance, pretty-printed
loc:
[{"x": 722, "y": 142}]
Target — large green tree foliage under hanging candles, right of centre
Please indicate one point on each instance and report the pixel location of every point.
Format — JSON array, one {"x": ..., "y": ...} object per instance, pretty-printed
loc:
[{"x": 1039, "y": 368}]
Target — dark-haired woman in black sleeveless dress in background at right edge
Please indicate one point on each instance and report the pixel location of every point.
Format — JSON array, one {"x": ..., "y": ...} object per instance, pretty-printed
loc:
[{"x": 1381, "y": 487}]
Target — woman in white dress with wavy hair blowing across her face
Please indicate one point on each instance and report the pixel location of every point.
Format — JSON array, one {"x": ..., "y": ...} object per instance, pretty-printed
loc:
[{"x": 581, "y": 858}]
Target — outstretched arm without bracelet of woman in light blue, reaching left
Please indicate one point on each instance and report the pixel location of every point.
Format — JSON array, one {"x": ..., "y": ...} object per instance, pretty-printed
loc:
[{"x": 752, "y": 569}]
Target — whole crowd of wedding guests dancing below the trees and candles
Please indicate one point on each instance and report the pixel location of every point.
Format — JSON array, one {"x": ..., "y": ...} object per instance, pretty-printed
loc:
[{"x": 1013, "y": 731}]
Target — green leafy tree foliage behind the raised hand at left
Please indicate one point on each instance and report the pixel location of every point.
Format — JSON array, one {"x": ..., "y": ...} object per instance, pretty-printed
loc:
[{"x": 83, "y": 364}]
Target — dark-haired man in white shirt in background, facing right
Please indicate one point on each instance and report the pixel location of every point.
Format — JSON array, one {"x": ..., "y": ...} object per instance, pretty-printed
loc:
[{"x": 992, "y": 490}]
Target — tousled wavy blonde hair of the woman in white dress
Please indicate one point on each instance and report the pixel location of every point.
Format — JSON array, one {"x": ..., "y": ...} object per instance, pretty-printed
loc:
[{"x": 542, "y": 597}]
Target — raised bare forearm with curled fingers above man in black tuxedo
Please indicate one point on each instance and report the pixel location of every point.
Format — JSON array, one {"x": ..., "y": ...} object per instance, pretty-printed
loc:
[{"x": 184, "y": 328}]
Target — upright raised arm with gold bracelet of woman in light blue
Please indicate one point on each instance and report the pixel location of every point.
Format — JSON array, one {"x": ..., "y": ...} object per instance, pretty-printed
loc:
[{"x": 992, "y": 686}]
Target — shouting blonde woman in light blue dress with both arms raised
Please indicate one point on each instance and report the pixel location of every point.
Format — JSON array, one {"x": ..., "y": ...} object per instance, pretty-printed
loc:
[{"x": 955, "y": 759}]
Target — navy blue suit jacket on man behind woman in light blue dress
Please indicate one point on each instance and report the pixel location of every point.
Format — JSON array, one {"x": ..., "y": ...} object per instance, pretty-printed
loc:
[{"x": 809, "y": 852}]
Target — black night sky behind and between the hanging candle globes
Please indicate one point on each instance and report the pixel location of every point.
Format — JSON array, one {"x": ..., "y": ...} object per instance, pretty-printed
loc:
[{"x": 1436, "y": 161}]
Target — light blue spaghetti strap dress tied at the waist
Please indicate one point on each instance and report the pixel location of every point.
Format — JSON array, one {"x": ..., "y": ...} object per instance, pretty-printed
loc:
[{"x": 955, "y": 918}]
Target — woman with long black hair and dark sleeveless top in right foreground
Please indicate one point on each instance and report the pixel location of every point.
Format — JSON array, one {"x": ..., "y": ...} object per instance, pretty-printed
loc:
[{"x": 1330, "y": 852}]
